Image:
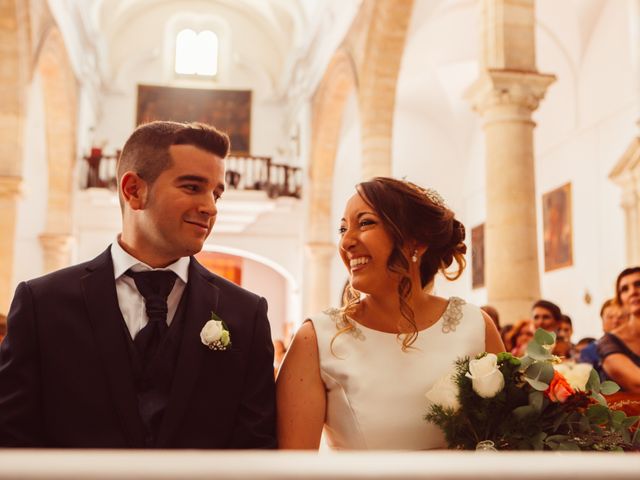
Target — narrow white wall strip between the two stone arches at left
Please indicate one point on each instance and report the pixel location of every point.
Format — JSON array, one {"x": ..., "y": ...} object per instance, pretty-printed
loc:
[{"x": 32, "y": 207}]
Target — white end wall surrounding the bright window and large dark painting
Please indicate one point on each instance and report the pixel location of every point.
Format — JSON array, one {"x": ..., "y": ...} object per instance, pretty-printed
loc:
[{"x": 254, "y": 63}]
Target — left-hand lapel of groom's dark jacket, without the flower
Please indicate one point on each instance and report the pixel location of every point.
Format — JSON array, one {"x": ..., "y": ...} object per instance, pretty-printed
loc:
[{"x": 106, "y": 319}]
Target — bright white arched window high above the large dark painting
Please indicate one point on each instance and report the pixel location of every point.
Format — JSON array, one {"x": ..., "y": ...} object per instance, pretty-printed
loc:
[{"x": 196, "y": 53}]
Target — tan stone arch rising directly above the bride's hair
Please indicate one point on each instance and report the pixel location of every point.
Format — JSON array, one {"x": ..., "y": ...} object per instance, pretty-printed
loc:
[{"x": 378, "y": 73}]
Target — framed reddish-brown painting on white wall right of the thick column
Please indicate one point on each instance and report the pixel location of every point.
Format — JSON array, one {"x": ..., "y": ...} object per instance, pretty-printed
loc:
[{"x": 558, "y": 230}]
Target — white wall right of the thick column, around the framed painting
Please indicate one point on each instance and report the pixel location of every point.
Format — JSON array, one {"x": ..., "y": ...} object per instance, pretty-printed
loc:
[{"x": 585, "y": 123}]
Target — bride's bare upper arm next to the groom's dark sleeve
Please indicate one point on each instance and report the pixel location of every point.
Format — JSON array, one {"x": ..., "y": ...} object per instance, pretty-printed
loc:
[{"x": 300, "y": 393}]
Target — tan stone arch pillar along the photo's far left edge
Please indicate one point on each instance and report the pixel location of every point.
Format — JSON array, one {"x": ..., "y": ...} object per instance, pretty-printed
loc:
[{"x": 14, "y": 74}]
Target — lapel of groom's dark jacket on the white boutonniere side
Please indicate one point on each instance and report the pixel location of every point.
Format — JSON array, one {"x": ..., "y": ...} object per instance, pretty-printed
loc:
[{"x": 202, "y": 299}]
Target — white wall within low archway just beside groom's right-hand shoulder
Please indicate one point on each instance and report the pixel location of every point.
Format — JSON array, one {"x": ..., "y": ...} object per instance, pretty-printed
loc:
[{"x": 266, "y": 282}]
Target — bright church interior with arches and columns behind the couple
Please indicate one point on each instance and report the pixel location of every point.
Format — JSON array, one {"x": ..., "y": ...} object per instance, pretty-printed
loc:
[{"x": 523, "y": 115}]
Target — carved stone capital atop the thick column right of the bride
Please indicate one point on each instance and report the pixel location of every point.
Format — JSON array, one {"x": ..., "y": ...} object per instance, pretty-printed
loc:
[{"x": 508, "y": 88}]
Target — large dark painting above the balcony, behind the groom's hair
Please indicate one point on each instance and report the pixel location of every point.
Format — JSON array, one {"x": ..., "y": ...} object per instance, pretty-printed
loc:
[{"x": 227, "y": 110}]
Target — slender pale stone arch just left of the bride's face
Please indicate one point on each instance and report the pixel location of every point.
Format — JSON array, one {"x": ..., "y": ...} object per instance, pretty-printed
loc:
[{"x": 328, "y": 105}]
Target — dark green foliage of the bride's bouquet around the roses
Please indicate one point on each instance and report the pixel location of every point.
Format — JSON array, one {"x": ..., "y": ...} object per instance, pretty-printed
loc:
[{"x": 522, "y": 417}]
